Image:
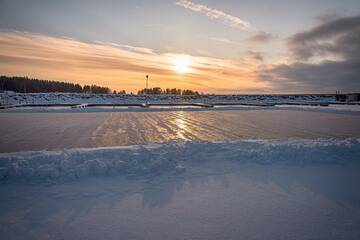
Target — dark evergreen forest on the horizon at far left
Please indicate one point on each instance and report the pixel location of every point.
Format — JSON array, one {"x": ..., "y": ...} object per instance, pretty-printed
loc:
[{"x": 30, "y": 85}]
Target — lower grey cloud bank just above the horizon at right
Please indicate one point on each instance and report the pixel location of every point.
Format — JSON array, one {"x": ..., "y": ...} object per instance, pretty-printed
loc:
[{"x": 326, "y": 77}]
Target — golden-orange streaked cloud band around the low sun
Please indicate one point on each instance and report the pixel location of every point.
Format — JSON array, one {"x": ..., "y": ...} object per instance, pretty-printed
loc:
[{"x": 120, "y": 66}]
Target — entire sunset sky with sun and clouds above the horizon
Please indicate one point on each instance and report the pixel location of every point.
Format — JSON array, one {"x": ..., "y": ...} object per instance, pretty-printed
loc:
[{"x": 227, "y": 47}]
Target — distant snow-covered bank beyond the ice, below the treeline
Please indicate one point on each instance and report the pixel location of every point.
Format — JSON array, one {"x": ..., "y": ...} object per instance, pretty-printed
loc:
[{"x": 77, "y": 98}]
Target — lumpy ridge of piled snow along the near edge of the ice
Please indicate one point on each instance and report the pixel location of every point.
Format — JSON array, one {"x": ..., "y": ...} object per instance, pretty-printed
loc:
[{"x": 170, "y": 158}]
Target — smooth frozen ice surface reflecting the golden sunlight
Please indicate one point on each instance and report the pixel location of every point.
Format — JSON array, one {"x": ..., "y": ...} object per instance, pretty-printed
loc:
[{"x": 39, "y": 131}]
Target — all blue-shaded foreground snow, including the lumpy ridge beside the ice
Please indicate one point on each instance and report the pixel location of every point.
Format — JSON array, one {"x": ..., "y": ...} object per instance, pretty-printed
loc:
[{"x": 265, "y": 189}]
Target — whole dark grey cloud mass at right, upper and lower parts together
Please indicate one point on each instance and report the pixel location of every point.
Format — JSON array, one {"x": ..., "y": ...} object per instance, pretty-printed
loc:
[{"x": 338, "y": 40}]
